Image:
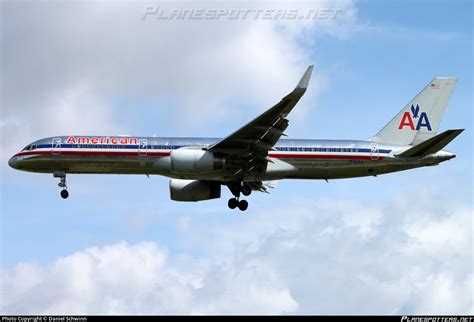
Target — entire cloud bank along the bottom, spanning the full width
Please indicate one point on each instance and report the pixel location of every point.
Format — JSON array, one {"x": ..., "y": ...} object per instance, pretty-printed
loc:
[{"x": 305, "y": 257}]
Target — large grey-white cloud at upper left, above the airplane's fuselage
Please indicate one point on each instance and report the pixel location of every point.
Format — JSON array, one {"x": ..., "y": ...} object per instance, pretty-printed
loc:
[{"x": 116, "y": 73}]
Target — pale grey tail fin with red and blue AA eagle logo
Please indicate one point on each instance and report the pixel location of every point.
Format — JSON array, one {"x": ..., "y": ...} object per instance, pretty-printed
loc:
[{"x": 419, "y": 119}]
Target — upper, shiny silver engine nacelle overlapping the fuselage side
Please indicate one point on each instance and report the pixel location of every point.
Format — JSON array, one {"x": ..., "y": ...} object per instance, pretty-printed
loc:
[{"x": 195, "y": 161}]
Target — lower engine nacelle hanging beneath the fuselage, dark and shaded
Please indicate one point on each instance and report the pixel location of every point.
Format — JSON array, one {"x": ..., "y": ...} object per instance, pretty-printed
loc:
[{"x": 194, "y": 190}]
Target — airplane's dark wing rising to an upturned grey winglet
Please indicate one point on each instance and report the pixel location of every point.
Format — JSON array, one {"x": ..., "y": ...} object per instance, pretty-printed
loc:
[{"x": 252, "y": 142}]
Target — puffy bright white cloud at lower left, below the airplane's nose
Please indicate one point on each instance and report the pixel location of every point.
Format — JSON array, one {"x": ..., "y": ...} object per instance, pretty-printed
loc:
[{"x": 139, "y": 279}]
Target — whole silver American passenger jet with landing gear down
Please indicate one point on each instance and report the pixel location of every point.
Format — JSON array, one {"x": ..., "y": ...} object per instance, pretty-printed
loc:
[{"x": 254, "y": 157}]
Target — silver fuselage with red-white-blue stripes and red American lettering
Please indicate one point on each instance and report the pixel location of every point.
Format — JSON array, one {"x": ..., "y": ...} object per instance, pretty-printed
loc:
[{"x": 289, "y": 159}]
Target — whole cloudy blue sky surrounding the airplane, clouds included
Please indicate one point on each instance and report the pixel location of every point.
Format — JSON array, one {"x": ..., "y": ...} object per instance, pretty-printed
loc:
[{"x": 396, "y": 244}]
